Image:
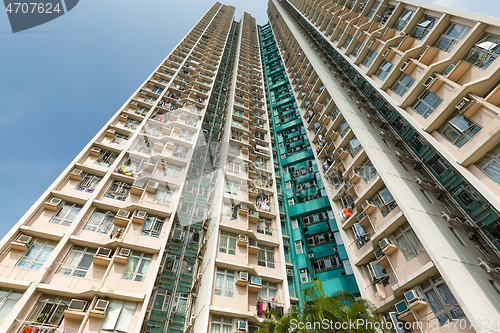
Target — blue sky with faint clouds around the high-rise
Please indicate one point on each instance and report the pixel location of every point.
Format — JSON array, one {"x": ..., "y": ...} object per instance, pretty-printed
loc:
[{"x": 60, "y": 82}]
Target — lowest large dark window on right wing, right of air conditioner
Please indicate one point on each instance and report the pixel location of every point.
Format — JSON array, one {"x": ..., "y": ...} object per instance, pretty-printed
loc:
[{"x": 441, "y": 300}]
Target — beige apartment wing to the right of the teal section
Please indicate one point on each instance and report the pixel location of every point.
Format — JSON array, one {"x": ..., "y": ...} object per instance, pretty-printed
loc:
[{"x": 399, "y": 102}]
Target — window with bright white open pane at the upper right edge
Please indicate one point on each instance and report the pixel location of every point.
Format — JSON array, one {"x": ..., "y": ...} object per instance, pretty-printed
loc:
[{"x": 484, "y": 52}]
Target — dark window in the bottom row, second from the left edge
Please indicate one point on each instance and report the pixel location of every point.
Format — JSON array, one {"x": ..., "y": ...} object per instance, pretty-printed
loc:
[{"x": 49, "y": 310}]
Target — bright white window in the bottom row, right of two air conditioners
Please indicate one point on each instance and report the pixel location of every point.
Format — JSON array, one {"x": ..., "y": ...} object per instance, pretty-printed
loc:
[{"x": 119, "y": 317}]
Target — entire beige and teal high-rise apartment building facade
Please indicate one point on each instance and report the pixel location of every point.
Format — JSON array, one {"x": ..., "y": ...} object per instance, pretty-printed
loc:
[{"x": 350, "y": 141}]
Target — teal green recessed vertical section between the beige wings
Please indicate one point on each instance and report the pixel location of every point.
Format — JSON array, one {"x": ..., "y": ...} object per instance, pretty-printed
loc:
[{"x": 312, "y": 242}]
